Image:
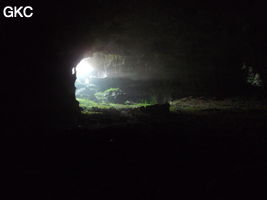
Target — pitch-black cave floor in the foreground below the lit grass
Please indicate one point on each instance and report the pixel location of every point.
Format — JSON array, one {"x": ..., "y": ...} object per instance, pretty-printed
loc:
[{"x": 211, "y": 153}]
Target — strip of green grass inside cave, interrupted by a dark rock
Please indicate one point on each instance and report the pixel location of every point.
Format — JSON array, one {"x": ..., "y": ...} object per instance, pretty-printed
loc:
[{"x": 186, "y": 105}]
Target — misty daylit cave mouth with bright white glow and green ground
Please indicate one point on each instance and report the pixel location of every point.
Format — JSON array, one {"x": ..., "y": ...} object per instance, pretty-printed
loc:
[{"x": 110, "y": 80}]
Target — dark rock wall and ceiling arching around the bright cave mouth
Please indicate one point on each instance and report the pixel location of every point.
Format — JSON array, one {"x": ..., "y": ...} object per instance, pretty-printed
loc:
[{"x": 207, "y": 44}]
